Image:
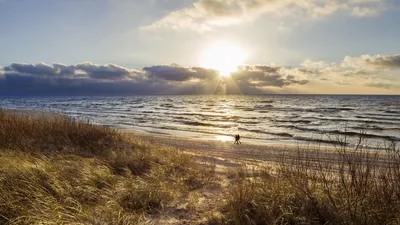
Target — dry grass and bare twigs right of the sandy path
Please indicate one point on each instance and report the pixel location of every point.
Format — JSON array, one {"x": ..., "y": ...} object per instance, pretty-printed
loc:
[{"x": 357, "y": 186}]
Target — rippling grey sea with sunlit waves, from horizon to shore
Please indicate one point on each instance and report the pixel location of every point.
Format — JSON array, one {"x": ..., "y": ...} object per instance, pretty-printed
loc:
[{"x": 287, "y": 119}]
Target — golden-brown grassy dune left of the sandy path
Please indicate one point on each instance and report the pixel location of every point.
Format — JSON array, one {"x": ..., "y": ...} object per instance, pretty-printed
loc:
[{"x": 62, "y": 171}]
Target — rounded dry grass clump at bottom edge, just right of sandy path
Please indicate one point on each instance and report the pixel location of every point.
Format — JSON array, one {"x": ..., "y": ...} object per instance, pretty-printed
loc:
[{"x": 265, "y": 202}]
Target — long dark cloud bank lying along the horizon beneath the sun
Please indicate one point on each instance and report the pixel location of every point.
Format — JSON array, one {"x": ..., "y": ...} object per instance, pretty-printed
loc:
[{"x": 92, "y": 79}]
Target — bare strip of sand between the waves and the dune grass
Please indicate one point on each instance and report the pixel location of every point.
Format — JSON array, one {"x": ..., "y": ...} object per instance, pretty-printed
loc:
[{"x": 229, "y": 155}]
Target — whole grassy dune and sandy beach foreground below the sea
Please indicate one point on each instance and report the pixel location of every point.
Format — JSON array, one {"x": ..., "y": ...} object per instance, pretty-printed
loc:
[{"x": 95, "y": 174}]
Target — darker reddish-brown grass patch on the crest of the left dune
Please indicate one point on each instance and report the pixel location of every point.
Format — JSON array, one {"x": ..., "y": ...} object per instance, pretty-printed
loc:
[{"x": 59, "y": 134}]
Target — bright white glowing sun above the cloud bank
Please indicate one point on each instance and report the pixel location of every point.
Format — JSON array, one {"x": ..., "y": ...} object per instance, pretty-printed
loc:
[{"x": 223, "y": 56}]
